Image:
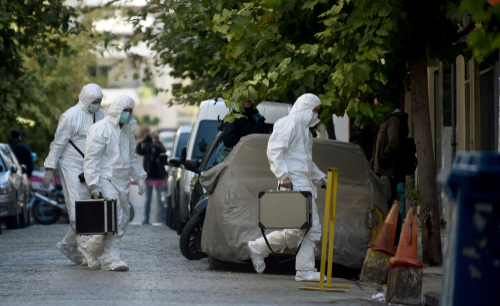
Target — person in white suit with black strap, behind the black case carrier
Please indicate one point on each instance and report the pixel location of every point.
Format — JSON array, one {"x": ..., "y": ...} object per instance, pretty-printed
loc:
[{"x": 73, "y": 126}]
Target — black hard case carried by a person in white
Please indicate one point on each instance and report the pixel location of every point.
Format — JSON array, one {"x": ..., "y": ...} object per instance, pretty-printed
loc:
[{"x": 96, "y": 217}]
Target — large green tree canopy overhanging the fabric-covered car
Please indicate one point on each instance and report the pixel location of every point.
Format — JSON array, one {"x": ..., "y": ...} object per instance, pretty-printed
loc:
[{"x": 277, "y": 50}]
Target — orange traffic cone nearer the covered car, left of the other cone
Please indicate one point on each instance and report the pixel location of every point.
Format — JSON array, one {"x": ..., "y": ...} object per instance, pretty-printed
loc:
[{"x": 387, "y": 234}]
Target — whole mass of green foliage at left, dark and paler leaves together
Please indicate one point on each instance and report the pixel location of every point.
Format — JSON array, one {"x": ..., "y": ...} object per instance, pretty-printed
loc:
[{"x": 44, "y": 64}]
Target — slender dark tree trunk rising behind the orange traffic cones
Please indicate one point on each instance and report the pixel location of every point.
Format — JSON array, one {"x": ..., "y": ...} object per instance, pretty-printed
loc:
[{"x": 429, "y": 210}]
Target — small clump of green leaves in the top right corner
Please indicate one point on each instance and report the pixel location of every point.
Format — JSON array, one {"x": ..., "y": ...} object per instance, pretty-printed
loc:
[{"x": 485, "y": 39}]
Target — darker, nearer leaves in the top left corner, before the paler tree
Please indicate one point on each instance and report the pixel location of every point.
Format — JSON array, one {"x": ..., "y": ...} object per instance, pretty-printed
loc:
[{"x": 29, "y": 30}]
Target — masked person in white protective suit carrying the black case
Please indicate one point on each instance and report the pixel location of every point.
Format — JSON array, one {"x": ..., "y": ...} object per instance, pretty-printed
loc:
[{"x": 110, "y": 161}]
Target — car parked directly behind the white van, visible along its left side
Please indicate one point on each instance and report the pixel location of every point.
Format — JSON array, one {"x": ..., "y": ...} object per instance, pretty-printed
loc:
[{"x": 173, "y": 173}]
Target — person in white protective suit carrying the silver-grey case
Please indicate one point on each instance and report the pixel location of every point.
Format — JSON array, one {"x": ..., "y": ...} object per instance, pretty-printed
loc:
[{"x": 289, "y": 151}]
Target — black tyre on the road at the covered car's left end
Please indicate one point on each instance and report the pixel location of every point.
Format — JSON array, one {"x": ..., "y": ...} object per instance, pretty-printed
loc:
[{"x": 190, "y": 242}]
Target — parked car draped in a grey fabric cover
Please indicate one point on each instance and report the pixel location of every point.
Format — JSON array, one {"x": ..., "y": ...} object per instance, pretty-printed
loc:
[{"x": 231, "y": 218}]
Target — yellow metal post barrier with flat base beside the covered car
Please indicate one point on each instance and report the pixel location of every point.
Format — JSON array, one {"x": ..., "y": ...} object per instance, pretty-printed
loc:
[{"x": 328, "y": 227}]
